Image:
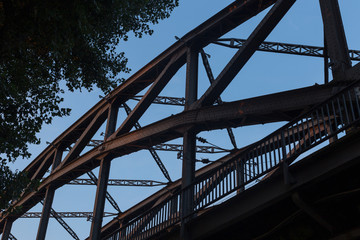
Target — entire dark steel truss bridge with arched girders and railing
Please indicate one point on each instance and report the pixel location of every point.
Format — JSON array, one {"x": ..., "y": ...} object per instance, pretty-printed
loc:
[{"x": 245, "y": 185}]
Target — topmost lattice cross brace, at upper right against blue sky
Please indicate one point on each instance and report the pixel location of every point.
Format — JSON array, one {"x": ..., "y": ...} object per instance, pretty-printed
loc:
[{"x": 278, "y": 47}]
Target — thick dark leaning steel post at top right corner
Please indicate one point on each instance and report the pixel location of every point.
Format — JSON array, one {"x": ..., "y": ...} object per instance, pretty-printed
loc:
[{"x": 335, "y": 38}]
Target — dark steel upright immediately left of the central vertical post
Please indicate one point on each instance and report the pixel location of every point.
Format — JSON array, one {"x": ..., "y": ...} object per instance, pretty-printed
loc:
[{"x": 104, "y": 171}]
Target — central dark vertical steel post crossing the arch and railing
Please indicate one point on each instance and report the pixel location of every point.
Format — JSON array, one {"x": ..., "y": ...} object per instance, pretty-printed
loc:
[{"x": 189, "y": 141}]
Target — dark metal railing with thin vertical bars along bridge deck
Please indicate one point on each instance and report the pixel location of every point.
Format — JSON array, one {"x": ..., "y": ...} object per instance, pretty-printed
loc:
[{"x": 338, "y": 114}]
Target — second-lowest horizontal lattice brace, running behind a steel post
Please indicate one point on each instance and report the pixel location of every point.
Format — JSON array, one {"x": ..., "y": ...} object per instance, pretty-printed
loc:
[{"x": 119, "y": 182}]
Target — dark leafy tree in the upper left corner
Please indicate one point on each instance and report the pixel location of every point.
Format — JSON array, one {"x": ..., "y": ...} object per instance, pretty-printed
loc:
[{"x": 45, "y": 42}]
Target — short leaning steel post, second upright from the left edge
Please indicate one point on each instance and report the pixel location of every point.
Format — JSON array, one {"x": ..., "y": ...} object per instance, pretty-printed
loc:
[{"x": 49, "y": 197}]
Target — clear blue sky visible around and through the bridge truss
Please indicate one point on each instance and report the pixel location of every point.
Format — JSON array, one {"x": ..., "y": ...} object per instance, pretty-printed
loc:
[{"x": 265, "y": 73}]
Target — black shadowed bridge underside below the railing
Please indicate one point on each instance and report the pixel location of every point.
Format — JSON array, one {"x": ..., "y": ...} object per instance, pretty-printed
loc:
[{"x": 323, "y": 202}]
